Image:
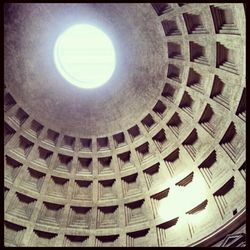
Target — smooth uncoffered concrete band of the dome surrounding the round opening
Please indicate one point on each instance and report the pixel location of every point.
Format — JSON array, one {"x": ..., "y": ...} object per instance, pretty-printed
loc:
[{"x": 133, "y": 89}]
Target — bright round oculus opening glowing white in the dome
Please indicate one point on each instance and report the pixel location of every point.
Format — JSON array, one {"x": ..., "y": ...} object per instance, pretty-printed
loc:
[{"x": 85, "y": 56}]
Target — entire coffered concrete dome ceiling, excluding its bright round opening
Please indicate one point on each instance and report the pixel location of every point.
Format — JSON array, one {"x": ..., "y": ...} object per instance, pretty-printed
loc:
[{"x": 155, "y": 157}]
